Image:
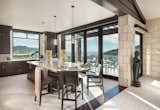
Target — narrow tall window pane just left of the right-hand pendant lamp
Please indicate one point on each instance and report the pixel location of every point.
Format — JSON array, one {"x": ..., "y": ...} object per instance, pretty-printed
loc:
[{"x": 68, "y": 47}]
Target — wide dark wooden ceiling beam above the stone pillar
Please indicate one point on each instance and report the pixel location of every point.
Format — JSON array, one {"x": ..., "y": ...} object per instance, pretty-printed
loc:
[{"x": 123, "y": 7}]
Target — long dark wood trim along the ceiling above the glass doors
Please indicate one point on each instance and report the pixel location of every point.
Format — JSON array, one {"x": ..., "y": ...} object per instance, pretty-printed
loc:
[{"x": 106, "y": 21}]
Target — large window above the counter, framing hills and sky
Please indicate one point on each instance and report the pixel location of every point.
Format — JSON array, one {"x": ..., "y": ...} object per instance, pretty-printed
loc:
[{"x": 25, "y": 46}]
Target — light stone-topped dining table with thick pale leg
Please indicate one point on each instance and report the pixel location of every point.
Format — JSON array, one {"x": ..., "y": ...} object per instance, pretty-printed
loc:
[{"x": 54, "y": 68}]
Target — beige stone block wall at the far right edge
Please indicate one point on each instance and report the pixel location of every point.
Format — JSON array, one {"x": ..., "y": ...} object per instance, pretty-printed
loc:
[{"x": 151, "y": 49}]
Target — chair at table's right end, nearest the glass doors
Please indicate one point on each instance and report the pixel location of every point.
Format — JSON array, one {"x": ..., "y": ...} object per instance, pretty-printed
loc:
[{"x": 95, "y": 78}]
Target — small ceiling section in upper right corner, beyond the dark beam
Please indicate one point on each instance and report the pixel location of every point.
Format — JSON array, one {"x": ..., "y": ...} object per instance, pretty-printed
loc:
[{"x": 150, "y": 8}]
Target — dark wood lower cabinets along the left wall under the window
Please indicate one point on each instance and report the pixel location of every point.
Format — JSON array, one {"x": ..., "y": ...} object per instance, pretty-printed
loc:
[{"x": 13, "y": 68}]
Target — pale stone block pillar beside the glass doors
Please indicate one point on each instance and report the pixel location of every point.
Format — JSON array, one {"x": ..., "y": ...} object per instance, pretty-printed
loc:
[{"x": 126, "y": 48}]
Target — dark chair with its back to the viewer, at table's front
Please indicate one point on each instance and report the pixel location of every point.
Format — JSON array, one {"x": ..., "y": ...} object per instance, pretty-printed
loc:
[{"x": 71, "y": 81}]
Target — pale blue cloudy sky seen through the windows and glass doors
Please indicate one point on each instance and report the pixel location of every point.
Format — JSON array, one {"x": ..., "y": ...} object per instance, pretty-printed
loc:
[{"x": 110, "y": 42}]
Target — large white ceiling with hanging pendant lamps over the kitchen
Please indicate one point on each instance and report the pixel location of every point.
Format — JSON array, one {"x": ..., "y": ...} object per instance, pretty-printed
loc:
[{"x": 29, "y": 14}]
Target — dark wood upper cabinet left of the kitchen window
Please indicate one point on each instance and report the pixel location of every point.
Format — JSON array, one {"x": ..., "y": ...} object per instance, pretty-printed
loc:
[{"x": 5, "y": 39}]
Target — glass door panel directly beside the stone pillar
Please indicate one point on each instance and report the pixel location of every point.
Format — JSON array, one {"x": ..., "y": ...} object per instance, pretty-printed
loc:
[{"x": 110, "y": 55}]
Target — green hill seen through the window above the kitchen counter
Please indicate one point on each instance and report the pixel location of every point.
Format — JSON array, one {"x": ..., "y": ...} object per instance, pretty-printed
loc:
[{"x": 24, "y": 50}]
